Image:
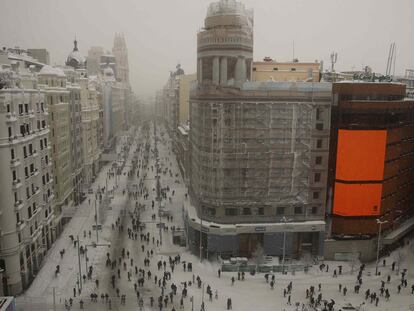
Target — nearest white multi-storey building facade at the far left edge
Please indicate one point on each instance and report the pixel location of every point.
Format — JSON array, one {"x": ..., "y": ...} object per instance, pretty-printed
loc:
[{"x": 26, "y": 192}]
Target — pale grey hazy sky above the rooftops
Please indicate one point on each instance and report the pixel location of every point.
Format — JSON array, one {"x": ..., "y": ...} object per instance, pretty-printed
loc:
[{"x": 160, "y": 33}]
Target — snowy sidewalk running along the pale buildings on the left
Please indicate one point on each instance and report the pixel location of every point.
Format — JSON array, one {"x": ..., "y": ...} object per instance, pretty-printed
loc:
[{"x": 83, "y": 219}]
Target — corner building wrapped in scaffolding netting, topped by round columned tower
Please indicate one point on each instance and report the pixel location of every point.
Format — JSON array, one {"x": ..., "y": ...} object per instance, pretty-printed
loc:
[{"x": 258, "y": 150}]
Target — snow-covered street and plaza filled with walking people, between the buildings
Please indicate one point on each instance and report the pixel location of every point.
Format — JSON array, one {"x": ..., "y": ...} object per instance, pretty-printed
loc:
[{"x": 253, "y": 293}]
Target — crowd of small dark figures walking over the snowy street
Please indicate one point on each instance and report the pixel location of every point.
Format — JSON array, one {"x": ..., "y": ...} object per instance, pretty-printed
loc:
[{"x": 137, "y": 265}]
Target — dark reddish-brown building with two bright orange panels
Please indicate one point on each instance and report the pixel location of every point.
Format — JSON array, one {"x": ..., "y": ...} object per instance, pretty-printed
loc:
[{"x": 371, "y": 164}]
